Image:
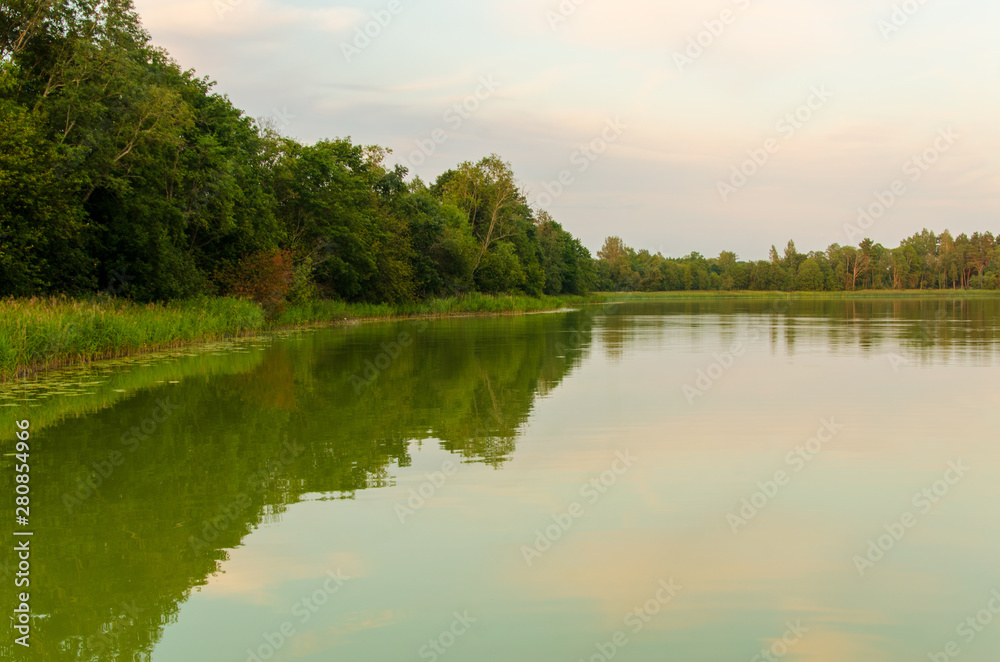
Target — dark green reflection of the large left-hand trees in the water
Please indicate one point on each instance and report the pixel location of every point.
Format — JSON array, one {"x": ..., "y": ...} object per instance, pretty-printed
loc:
[{"x": 113, "y": 563}]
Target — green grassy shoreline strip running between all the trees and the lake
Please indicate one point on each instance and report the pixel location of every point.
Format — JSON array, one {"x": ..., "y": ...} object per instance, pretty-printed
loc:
[{"x": 84, "y": 332}]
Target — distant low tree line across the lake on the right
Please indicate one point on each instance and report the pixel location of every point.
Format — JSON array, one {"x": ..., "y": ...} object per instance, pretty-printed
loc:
[{"x": 923, "y": 261}]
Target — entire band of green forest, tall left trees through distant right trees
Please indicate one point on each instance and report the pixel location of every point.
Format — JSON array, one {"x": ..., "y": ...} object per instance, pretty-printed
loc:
[{"x": 121, "y": 173}]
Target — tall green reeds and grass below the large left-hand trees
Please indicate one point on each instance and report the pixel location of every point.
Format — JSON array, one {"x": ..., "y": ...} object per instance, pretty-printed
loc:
[{"x": 36, "y": 334}]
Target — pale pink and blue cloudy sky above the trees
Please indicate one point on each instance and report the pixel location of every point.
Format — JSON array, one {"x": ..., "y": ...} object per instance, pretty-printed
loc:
[{"x": 678, "y": 126}]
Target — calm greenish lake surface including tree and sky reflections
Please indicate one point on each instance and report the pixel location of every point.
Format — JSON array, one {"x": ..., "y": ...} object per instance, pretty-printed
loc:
[{"x": 652, "y": 481}]
